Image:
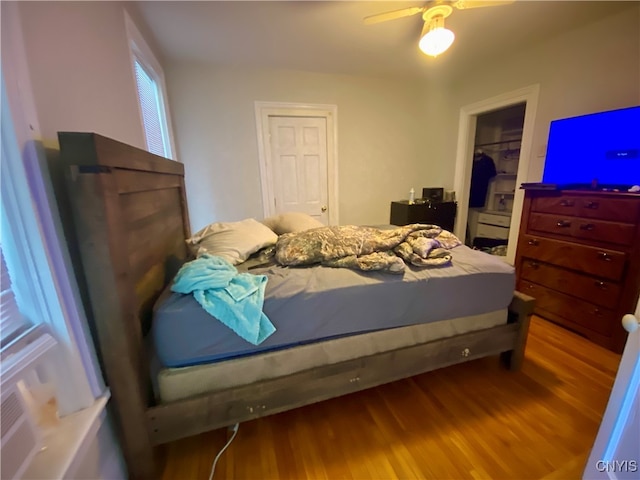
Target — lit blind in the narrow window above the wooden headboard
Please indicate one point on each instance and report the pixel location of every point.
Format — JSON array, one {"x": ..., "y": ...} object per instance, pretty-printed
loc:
[{"x": 151, "y": 111}]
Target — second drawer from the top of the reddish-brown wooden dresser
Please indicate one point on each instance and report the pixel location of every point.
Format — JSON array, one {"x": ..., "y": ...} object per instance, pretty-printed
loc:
[{"x": 587, "y": 229}]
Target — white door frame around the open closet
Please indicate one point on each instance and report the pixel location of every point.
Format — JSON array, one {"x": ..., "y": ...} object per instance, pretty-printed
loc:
[{"x": 464, "y": 156}]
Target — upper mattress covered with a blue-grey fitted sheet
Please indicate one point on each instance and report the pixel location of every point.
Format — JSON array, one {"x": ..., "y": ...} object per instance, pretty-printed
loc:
[{"x": 310, "y": 304}]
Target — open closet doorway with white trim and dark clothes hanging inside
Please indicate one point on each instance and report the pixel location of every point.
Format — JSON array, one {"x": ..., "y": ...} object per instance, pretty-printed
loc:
[{"x": 500, "y": 130}]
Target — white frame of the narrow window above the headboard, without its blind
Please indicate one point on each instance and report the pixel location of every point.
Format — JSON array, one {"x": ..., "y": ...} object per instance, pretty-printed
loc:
[{"x": 141, "y": 52}]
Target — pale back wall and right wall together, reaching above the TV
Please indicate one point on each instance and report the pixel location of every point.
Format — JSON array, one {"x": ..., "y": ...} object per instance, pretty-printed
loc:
[{"x": 393, "y": 134}]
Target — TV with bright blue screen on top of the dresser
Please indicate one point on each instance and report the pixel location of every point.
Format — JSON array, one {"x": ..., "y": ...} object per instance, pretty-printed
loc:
[{"x": 600, "y": 149}]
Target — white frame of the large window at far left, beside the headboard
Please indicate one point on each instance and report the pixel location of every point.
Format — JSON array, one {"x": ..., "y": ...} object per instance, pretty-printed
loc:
[{"x": 46, "y": 293}]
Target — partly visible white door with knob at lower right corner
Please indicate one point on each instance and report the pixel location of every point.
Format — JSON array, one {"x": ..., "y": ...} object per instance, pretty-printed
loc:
[{"x": 616, "y": 450}]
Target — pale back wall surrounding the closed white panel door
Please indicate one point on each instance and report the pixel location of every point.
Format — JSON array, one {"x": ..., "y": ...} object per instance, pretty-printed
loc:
[{"x": 380, "y": 132}]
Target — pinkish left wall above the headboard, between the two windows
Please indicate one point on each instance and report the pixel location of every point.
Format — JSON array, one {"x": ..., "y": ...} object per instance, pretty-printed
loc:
[{"x": 78, "y": 59}]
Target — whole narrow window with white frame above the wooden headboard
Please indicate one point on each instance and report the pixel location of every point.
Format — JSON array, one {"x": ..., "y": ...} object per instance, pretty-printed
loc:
[{"x": 151, "y": 93}]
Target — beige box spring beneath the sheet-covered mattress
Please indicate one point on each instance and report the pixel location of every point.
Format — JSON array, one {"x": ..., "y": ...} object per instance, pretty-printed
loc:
[{"x": 172, "y": 384}]
